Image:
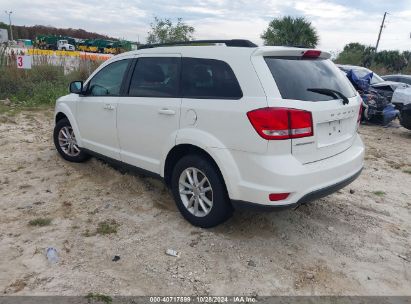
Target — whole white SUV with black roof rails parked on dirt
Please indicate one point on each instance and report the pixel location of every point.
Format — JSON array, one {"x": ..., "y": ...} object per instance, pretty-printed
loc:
[{"x": 225, "y": 125}]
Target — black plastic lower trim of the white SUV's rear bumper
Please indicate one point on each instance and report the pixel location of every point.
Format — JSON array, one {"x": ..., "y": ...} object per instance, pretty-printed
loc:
[{"x": 314, "y": 195}]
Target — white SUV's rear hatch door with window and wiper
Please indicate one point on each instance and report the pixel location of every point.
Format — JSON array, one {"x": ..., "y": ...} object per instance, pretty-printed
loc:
[{"x": 316, "y": 85}]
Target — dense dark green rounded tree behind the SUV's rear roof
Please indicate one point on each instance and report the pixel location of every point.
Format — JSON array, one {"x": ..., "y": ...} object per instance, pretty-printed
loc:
[{"x": 291, "y": 32}]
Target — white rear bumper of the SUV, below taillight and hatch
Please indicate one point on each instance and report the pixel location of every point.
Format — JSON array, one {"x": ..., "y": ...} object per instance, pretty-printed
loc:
[{"x": 254, "y": 176}]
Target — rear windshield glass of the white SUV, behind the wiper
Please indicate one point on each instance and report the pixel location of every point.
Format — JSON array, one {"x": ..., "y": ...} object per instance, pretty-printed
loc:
[{"x": 294, "y": 76}]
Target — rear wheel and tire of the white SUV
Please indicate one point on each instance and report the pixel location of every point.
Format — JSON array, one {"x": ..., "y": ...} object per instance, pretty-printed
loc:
[{"x": 207, "y": 217}]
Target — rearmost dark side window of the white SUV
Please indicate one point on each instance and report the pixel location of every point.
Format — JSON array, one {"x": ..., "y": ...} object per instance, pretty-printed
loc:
[{"x": 209, "y": 79}]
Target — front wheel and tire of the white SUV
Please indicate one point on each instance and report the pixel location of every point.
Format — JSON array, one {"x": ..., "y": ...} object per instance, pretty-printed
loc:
[{"x": 66, "y": 144}]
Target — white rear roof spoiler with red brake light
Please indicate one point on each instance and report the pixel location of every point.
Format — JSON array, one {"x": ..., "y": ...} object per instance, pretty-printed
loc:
[{"x": 279, "y": 51}]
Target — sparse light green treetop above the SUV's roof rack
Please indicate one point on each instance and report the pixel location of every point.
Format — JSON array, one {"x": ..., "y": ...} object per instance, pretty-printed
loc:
[{"x": 164, "y": 31}]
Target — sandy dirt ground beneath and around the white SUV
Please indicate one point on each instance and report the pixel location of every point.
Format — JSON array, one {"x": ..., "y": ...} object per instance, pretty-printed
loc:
[{"x": 354, "y": 242}]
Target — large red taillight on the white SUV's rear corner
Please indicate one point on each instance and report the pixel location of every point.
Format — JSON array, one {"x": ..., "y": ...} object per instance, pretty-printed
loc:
[{"x": 281, "y": 123}]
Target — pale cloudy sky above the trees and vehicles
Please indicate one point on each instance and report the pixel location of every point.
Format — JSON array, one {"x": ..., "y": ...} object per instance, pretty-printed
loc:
[{"x": 338, "y": 22}]
